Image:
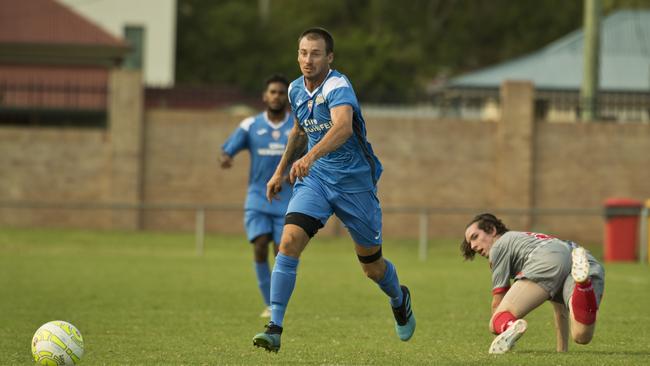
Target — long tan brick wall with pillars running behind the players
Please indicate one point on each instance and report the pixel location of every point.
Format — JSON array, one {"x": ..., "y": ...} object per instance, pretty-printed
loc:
[{"x": 162, "y": 156}]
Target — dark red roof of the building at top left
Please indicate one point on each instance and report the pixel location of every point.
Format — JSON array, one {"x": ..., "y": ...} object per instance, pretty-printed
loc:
[{"x": 49, "y": 22}]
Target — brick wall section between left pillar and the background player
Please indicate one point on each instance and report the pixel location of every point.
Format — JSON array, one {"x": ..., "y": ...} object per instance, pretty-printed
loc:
[{"x": 181, "y": 167}]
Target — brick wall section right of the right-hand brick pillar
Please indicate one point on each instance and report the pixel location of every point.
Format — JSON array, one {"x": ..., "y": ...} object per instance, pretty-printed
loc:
[{"x": 581, "y": 164}]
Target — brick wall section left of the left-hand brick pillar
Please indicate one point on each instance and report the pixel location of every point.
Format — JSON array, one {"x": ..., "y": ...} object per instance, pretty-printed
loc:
[{"x": 54, "y": 165}]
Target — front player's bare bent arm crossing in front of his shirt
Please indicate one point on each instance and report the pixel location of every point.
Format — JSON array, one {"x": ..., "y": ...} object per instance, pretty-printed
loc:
[{"x": 337, "y": 135}]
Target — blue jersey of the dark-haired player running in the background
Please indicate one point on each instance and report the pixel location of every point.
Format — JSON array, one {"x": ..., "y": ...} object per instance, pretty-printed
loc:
[{"x": 266, "y": 143}]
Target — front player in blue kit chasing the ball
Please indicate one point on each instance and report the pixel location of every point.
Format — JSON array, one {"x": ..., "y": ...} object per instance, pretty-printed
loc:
[{"x": 338, "y": 175}]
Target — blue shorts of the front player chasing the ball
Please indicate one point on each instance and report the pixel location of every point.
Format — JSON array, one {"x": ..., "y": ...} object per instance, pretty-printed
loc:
[{"x": 359, "y": 212}]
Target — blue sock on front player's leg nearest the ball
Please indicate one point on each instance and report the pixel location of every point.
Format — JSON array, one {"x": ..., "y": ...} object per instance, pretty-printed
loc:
[{"x": 283, "y": 280}]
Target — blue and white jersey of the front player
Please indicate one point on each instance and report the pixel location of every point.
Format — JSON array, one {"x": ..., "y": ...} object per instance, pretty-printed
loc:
[{"x": 353, "y": 167}]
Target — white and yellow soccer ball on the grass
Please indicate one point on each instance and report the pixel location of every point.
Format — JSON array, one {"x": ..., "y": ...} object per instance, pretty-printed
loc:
[{"x": 57, "y": 343}]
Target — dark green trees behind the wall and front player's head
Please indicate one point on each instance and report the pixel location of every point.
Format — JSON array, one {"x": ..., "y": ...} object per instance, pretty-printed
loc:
[{"x": 390, "y": 50}]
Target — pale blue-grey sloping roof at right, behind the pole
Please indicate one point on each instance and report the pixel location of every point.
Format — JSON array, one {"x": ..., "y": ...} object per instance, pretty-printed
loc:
[{"x": 624, "y": 59}]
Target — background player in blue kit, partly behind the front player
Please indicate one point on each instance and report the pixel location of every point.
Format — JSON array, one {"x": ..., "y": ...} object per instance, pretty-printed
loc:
[{"x": 265, "y": 137}]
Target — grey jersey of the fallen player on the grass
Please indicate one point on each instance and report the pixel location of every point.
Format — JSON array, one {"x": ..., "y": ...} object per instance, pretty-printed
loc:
[{"x": 511, "y": 252}]
